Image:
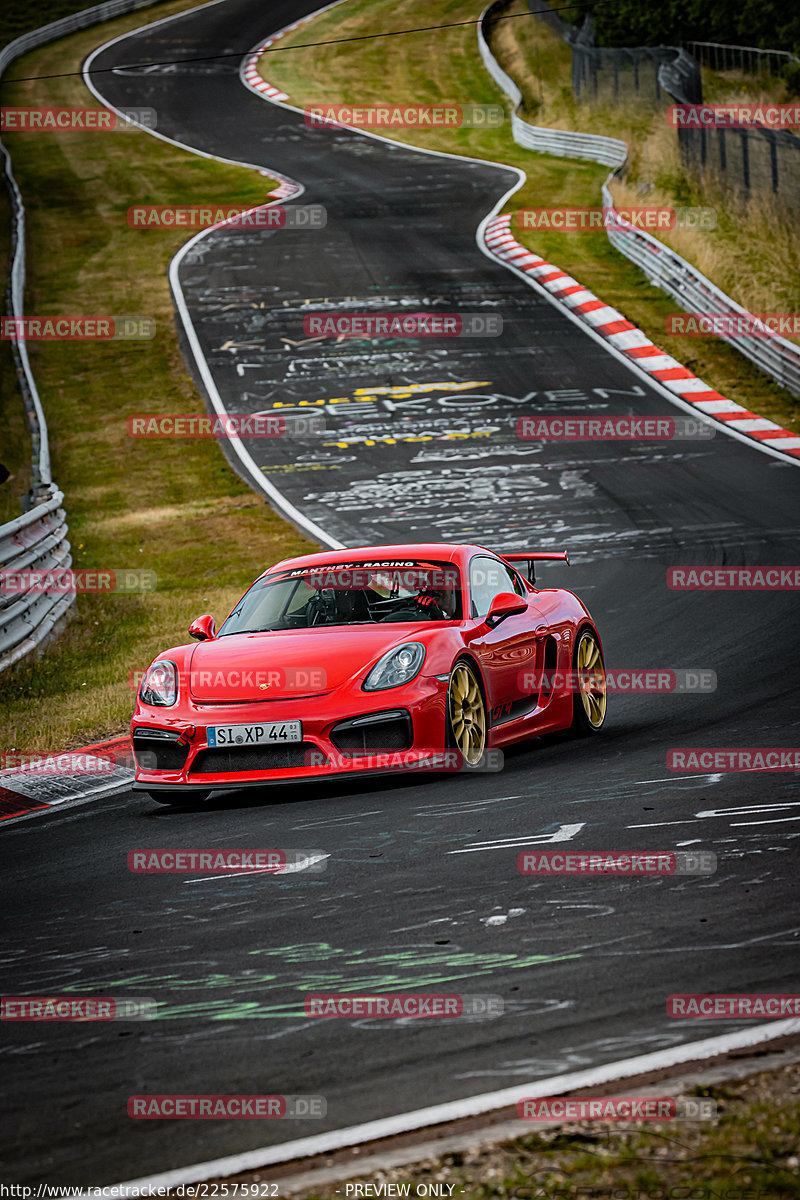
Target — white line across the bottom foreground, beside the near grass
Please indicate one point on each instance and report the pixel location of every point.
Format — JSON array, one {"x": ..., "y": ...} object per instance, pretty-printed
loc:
[{"x": 456, "y": 1111}]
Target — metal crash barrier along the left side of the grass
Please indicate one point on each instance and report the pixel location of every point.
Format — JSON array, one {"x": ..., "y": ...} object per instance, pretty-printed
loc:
[{"x": 38, "y": 541}]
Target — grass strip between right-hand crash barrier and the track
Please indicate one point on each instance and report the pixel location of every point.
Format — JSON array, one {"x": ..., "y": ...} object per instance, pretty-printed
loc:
[{"x": 431, "y": 68}]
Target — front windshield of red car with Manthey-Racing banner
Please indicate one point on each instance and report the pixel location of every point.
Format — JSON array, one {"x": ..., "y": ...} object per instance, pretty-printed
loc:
[{"x": 348, "y": 595}]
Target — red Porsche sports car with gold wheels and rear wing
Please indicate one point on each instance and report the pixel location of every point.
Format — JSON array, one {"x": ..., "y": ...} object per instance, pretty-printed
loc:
[{"x": 371, "y": 659}]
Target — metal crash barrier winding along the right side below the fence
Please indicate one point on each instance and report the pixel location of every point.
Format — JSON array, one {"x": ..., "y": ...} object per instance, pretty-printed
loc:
[{"x": 665, "y": 268}]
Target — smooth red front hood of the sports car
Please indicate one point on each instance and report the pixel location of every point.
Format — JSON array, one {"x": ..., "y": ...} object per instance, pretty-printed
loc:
[{"x": 287, "y": 664}]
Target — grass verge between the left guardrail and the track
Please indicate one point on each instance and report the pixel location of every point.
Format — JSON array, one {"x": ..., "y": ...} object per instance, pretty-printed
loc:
[{"x": 171, "y": 507}]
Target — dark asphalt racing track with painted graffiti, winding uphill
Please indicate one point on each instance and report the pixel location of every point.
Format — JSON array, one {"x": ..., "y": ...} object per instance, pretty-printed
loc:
[{"x": 584, "y": 967}]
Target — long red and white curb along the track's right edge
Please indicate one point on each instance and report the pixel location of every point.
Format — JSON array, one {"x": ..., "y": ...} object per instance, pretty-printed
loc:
[{"x": 625, "y": 338}]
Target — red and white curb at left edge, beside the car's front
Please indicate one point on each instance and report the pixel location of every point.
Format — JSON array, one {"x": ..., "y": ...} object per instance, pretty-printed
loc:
[{"x": 65, "y": 777}]
